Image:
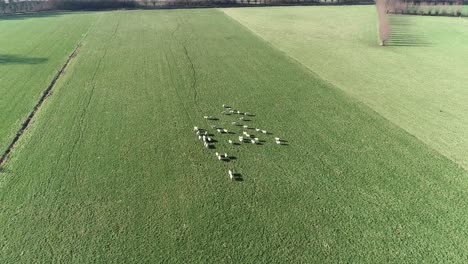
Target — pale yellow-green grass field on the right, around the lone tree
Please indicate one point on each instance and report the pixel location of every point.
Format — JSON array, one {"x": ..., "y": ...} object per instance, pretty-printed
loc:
[{"x": 418, "y": 82}]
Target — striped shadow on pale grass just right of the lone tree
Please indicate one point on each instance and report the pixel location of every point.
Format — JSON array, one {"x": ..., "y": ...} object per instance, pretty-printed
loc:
[{"x": 404, "y": 34}]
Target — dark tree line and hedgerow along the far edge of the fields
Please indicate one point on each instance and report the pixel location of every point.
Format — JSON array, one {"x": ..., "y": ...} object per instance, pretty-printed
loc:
[{"x": 416, "y": 7}]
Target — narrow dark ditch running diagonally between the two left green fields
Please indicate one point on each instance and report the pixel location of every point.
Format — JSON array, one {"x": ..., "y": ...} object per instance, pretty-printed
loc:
[{"x": 30, "y": 117}]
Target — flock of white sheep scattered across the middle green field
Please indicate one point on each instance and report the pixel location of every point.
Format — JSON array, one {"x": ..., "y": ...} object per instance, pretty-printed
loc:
[{"x": 245, "y": 138}]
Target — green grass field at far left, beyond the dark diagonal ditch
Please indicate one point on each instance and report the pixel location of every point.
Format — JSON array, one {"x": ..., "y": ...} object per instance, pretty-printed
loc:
[{"x": 32, "y": 49}]
